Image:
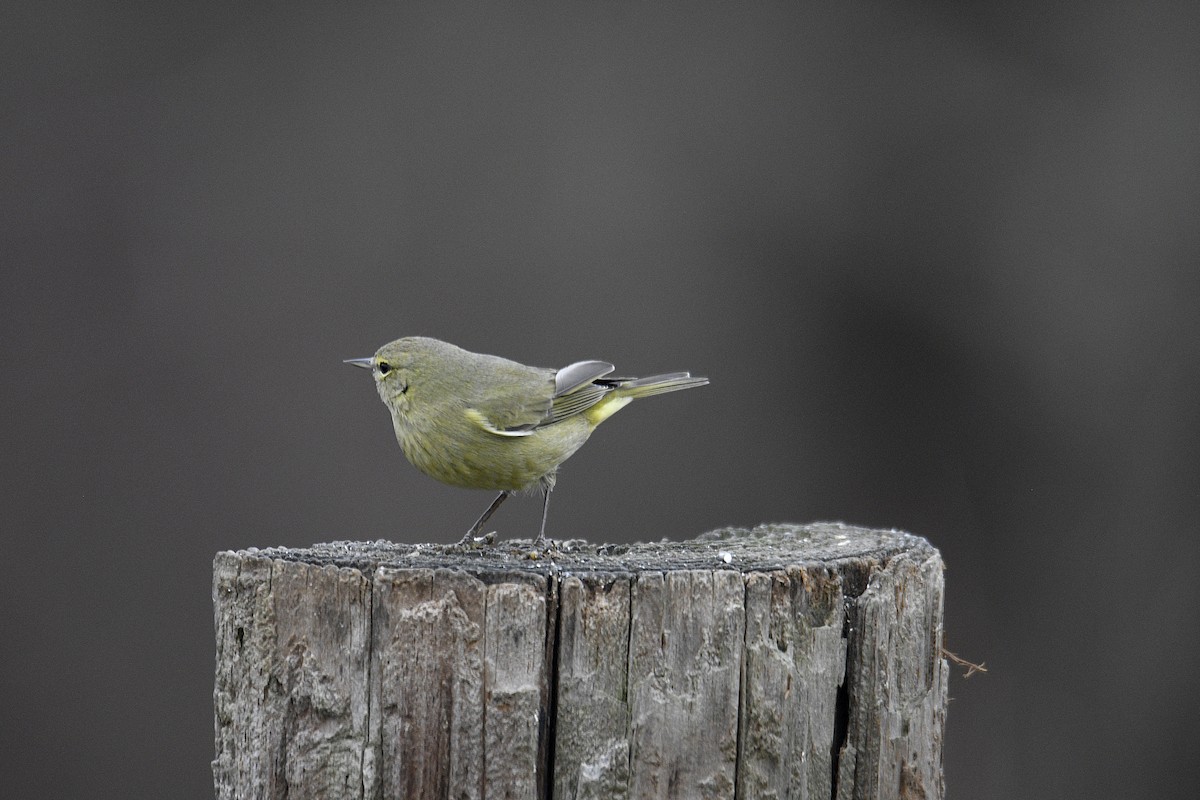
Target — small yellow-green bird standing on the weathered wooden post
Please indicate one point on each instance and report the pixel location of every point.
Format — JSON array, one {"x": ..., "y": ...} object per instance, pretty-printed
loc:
[{"x": 484, "y": 423}]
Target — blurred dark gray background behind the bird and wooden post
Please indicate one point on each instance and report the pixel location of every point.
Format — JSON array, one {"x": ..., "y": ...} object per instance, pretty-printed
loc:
[{"x": 940, "y": 262}]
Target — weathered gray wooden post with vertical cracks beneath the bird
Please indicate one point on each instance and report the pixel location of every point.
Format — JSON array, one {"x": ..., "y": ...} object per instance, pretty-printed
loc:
[{"x": 784, "y": 661}]
